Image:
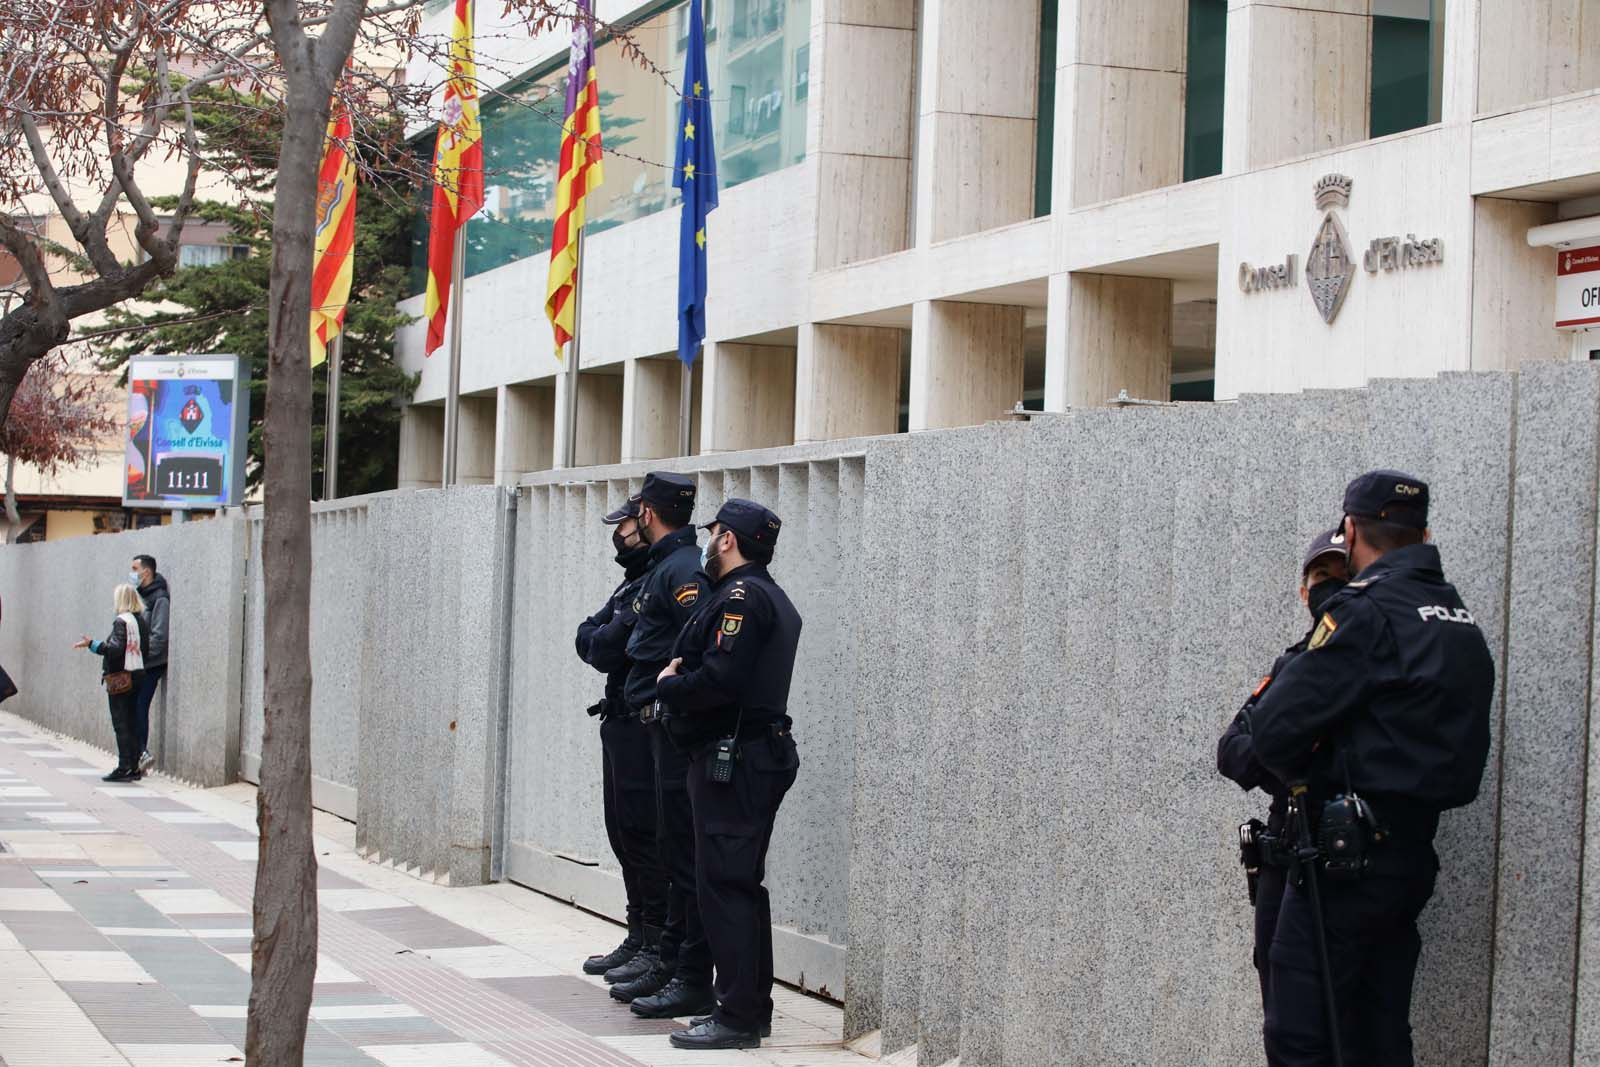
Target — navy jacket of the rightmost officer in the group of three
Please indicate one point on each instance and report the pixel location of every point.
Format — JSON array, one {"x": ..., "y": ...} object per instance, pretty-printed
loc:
[{"x": 738, "y": 660}]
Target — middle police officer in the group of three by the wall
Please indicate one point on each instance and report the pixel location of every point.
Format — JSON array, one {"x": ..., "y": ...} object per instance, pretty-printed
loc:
[{"x": 676, "y": 981}]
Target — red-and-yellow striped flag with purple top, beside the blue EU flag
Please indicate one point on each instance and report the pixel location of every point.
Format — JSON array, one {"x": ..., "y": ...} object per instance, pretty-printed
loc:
[{"x": 580, "y": 172}]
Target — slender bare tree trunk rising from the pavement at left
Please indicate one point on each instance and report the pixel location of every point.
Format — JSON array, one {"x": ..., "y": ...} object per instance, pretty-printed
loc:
[{"x": 284, "y": 954}]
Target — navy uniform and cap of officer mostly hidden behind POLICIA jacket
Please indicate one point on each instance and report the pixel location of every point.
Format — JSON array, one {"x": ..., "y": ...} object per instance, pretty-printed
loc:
[{"x": 1236, "y": 759}]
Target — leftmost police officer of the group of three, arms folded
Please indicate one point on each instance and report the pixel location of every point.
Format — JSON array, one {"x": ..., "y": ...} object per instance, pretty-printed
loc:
[{"x": 628, "y": 767}]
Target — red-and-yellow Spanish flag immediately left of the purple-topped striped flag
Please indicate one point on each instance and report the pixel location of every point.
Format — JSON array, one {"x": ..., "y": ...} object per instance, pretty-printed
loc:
[{"x": 458, "y": 174}]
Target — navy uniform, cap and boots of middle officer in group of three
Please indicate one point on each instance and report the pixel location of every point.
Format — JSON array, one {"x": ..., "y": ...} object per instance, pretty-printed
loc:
[{"x": 666, "y": 597}]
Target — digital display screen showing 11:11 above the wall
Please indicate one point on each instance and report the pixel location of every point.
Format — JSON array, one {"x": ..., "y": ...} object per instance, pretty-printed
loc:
[{"x": 186, "y": 433}]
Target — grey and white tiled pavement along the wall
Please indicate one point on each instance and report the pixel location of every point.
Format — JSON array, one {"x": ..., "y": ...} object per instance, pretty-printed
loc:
[{"x": 126, "y": 940}]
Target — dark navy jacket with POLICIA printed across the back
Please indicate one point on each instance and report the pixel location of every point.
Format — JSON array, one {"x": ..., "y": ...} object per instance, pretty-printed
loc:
[{"x": 1393, "y": 695}]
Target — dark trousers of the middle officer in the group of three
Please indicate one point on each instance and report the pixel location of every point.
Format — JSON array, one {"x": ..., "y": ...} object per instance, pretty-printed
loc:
[{"x": 682, "y": 938}]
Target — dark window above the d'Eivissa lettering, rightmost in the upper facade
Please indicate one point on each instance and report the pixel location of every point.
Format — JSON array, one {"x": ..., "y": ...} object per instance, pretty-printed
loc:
[{"x": 1407, "y": 38}]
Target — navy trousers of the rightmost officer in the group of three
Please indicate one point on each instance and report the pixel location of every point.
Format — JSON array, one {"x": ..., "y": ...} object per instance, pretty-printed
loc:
[{"x": 734, "y": 828}]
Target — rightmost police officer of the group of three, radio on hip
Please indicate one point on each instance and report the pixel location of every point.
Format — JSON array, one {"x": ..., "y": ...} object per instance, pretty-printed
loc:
[{"x": 727, "y": 698}]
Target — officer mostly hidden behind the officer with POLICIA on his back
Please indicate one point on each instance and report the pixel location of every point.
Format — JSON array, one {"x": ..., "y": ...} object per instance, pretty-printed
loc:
[{"x": 1324, "y": 573}]
